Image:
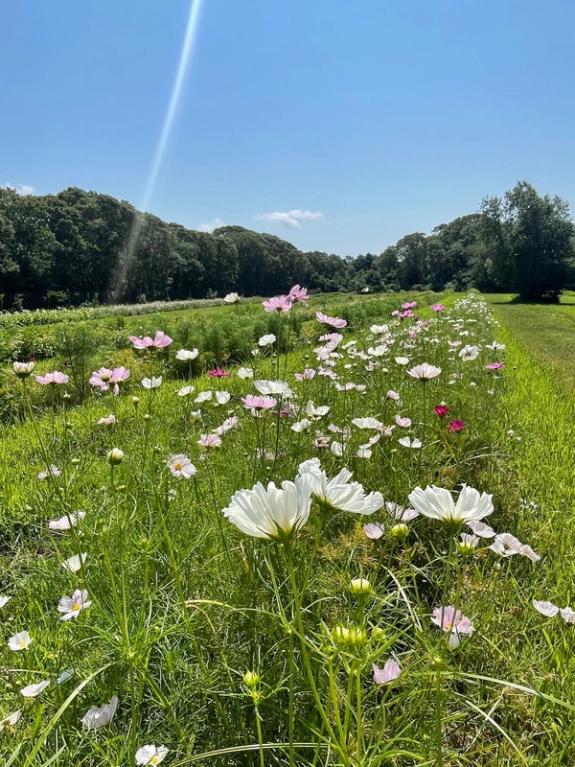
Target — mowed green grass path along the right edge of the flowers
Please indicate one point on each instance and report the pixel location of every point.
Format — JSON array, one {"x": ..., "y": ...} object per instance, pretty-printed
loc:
[{"x": 538, "y": 477}]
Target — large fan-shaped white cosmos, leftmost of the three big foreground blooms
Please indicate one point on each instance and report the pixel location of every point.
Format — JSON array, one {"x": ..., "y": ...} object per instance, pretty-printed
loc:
[{"x": 271, "y": 512}]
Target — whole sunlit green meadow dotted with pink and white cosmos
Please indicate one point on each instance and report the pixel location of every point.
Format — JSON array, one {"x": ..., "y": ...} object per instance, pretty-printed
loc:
[{"x": 400, "y": 595}]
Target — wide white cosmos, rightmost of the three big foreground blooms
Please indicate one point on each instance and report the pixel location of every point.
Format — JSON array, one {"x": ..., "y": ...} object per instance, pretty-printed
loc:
[{"x": 437, "y": 503}]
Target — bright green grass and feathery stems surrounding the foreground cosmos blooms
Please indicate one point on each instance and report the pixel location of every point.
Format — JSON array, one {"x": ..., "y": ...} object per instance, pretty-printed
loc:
[{"x": 184, "y": 603}]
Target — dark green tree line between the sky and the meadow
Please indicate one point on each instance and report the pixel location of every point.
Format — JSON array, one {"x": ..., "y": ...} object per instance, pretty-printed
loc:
[{"x": 79, "y": 247}]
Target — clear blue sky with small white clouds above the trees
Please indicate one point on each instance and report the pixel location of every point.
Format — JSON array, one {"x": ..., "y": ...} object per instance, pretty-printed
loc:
[{"x": 339, "y": 126}]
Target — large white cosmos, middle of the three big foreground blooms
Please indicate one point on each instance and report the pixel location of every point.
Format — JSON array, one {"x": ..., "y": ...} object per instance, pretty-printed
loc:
[{"x": 339, "y": 492}]
